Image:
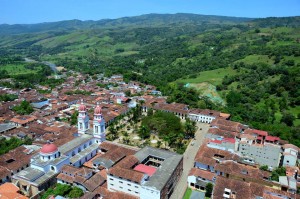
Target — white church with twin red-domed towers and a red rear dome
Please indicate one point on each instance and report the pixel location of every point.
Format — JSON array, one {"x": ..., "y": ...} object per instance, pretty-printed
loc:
[{"x": 47, "y": 164}]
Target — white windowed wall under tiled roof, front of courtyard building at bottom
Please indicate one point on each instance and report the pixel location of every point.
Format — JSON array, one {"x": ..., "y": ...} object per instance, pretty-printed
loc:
[{"x": 123, "y": 185}]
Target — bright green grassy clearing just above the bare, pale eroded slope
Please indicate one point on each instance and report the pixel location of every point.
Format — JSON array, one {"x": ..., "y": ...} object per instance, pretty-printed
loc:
[{"x": 213, "y": 77}]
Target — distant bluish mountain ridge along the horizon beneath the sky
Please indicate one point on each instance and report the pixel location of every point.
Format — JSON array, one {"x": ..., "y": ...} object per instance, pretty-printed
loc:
[{"x": 147, "y": 20}]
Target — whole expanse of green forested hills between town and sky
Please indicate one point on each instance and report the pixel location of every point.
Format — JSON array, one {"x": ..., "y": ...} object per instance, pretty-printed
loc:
[{"x": 261, "y": 56}]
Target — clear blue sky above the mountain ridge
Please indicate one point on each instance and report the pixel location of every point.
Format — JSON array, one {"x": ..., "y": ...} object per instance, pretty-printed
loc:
[{"x": 36, "y": 11}]
